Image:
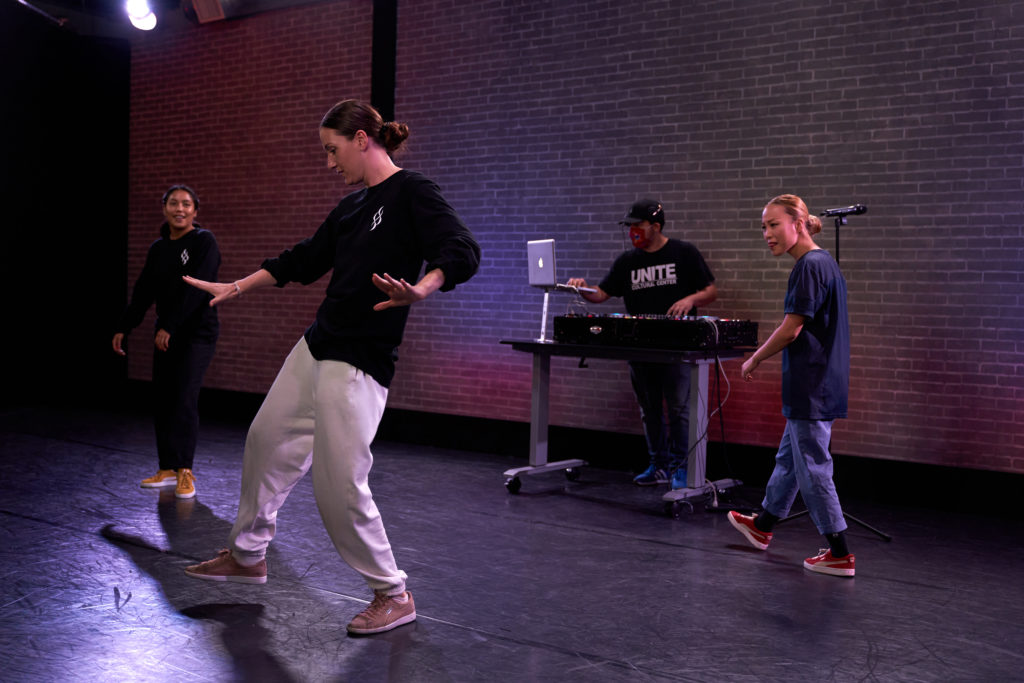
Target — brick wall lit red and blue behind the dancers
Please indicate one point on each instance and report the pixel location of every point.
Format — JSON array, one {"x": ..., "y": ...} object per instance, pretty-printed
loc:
[{"x": 547, "y": 120}]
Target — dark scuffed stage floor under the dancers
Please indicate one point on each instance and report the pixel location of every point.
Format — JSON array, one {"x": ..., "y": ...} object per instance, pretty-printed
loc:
[{"x": 584, "y": 581}]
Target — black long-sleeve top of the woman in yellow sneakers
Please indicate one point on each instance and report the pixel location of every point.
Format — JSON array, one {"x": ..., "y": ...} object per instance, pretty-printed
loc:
[{"x": 183, "y": 311}]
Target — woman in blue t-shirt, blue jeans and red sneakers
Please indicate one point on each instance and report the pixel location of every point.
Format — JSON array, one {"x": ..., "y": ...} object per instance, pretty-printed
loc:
[{"x": 815, "y": 338}]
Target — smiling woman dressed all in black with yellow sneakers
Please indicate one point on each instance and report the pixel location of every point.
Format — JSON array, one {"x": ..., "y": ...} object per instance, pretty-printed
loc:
[{"x": 186, "y": 337}]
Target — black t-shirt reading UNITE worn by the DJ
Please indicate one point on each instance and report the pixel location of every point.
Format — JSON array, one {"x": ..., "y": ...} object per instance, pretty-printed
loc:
[{"x": 651, "y": 283}]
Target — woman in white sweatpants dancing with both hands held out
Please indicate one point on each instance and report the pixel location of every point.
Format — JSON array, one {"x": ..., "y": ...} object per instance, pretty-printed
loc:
[{"x": 326, "y": 404}]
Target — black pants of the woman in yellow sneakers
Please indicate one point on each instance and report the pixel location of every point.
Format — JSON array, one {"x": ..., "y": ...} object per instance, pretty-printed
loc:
[{"x": 178, "y": 376}]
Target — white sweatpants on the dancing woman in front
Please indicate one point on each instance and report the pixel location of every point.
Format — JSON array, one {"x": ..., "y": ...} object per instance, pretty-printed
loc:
[{"x": 324, "y": 414}]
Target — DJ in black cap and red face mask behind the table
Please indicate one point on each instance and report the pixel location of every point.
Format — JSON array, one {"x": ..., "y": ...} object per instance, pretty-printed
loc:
[{"x": 663, "y": 277}]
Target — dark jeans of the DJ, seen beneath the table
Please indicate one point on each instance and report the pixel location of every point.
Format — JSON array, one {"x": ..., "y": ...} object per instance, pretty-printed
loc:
[{"x": 659, "y": 387}]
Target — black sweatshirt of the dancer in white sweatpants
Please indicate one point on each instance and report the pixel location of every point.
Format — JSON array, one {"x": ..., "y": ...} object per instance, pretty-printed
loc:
[{"x": 391, "y": 228}]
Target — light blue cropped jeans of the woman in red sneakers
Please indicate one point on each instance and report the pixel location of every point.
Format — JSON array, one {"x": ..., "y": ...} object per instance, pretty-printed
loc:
[{"x": 803, "y": 464}]
